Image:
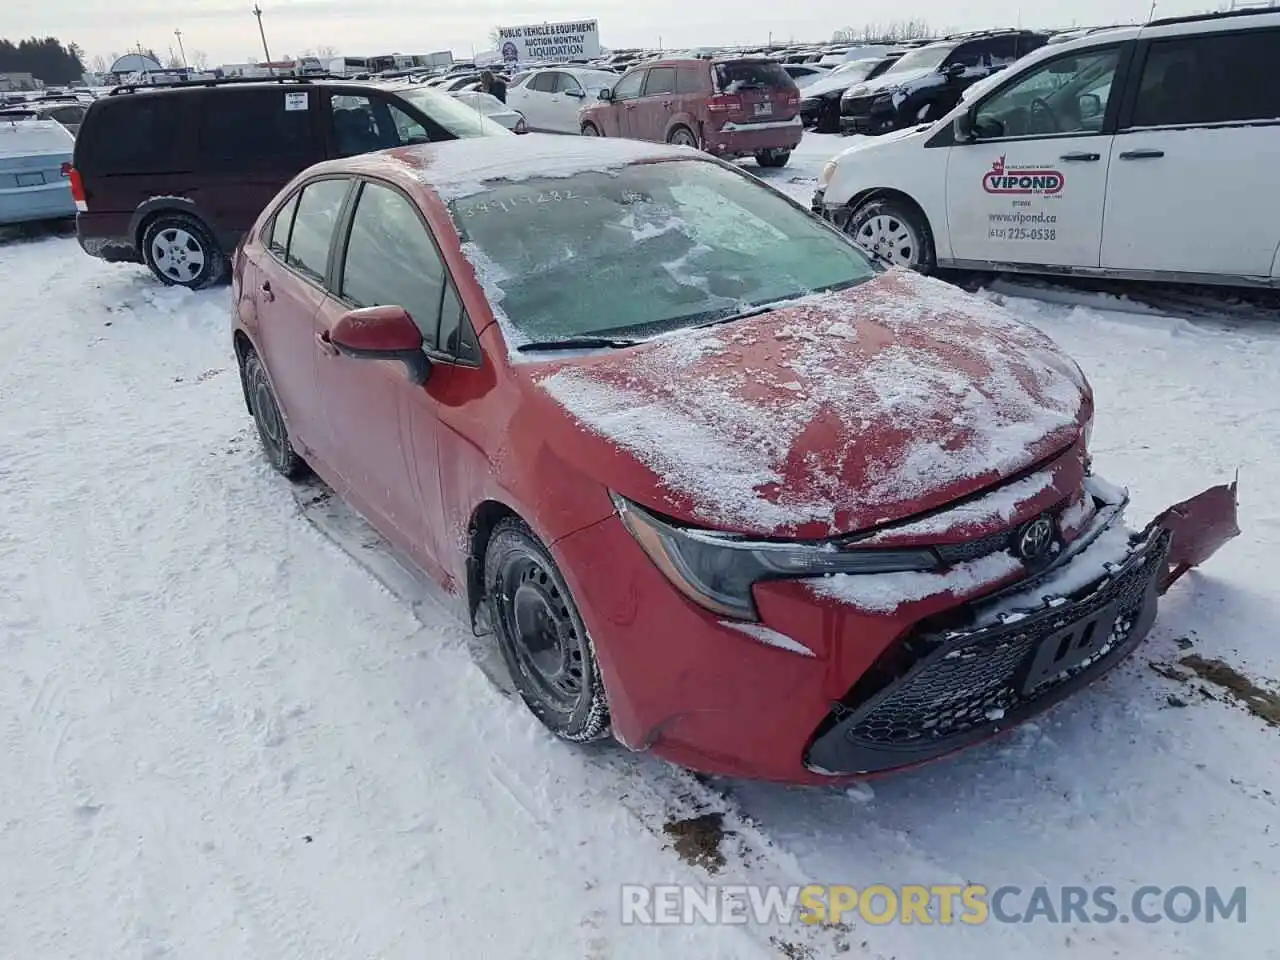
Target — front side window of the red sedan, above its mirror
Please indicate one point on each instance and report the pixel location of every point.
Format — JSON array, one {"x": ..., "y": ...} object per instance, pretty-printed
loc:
[{"x": 392, "y": 262}]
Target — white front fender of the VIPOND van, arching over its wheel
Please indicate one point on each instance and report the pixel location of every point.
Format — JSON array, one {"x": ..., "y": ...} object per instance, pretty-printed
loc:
[{"x": 895, "y": 163}]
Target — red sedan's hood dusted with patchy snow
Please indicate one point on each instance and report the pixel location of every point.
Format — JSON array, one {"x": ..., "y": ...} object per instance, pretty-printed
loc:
[{"x": 829, "y": 415}]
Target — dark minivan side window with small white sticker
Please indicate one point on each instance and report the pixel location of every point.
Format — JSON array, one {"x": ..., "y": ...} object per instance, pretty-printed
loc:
[{"x": 244, "y": 131}]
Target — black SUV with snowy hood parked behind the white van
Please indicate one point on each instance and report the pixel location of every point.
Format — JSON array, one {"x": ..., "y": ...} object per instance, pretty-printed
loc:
[{"x": 930, "y": 80}]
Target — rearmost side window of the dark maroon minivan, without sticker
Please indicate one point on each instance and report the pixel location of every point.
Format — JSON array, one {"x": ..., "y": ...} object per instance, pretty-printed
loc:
[{"x": 134, "y": 134}]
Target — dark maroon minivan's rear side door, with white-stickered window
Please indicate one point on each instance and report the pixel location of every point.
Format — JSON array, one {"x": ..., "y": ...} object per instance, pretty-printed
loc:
[{"x": 252, "y": 143}]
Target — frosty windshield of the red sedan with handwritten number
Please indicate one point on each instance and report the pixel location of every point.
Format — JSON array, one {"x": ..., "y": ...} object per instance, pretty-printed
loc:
[{"x": 693, "y": 241}]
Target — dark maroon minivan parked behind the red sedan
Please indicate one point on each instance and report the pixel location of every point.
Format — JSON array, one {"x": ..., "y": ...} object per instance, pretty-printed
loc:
[{"x": 172, "y": 176}]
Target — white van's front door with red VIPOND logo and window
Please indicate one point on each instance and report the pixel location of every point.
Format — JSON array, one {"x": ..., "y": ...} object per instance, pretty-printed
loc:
[{"x": 1031, "y": 189}]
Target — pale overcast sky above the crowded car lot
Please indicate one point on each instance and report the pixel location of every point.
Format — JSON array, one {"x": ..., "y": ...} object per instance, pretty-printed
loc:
[{"x": 227, "y": 33}]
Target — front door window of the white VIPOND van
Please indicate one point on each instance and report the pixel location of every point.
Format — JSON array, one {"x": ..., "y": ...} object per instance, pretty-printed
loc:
[{"x": 1067, "y": 97}]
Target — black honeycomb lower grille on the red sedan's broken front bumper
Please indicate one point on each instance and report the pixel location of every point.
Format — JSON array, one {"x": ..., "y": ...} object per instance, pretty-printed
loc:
[{"x": 966, "y": 685}]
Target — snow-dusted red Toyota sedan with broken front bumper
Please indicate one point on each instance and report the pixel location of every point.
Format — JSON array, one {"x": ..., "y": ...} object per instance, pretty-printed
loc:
[{"x": 721, "y": 487}]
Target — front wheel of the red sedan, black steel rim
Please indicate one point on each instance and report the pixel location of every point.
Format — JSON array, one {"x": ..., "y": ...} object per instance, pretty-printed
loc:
[{"x": 542, "y": 637}]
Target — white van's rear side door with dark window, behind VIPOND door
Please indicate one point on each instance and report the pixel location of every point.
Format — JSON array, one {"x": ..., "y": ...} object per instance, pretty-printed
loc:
[{"x": 1194, "y": 164}]
